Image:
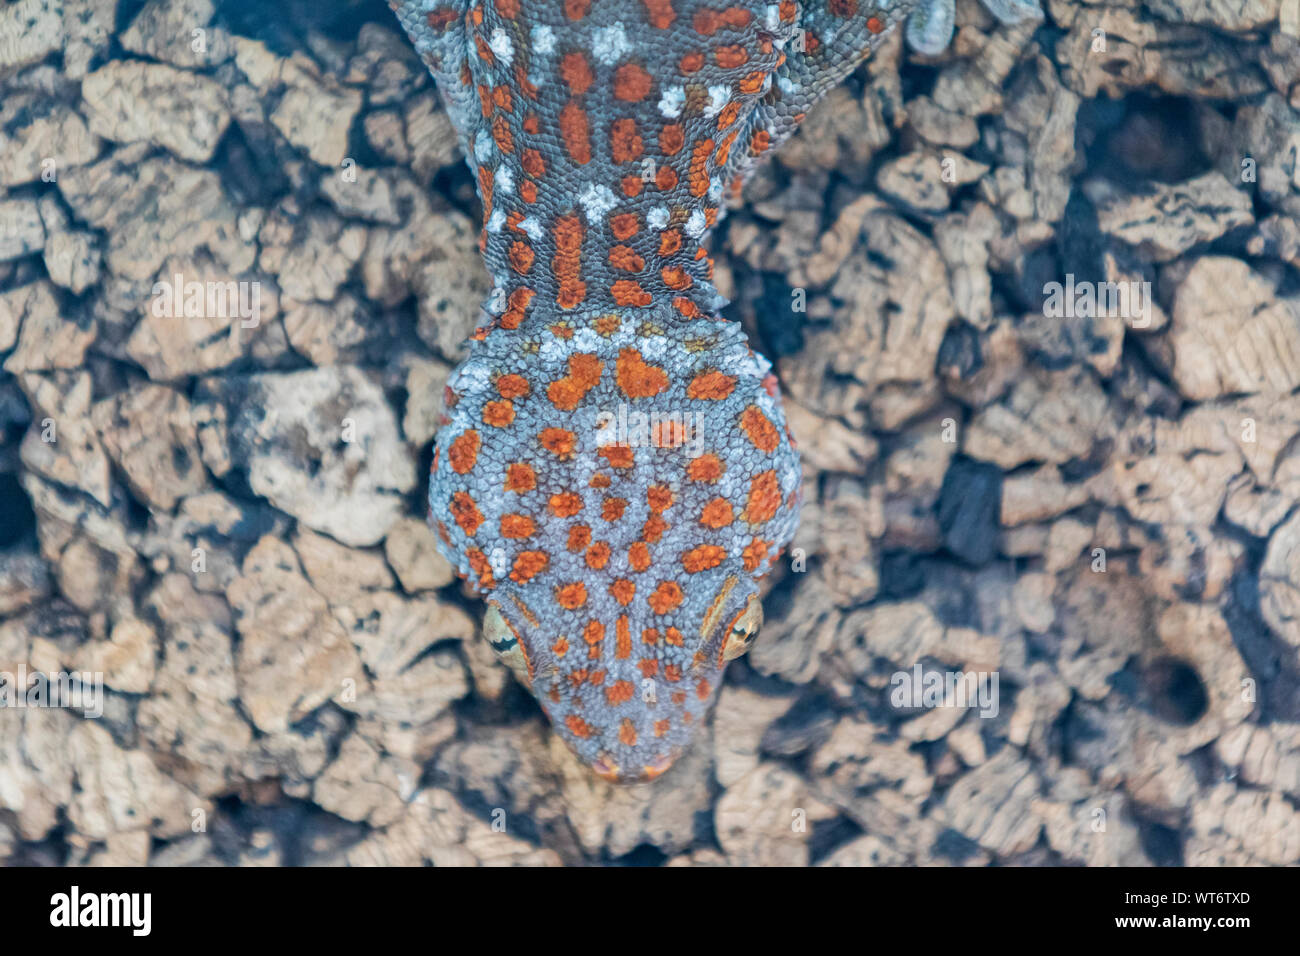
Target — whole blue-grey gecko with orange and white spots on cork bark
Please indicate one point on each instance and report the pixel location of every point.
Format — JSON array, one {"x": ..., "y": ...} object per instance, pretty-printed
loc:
[{"x": 613, "y": 471}]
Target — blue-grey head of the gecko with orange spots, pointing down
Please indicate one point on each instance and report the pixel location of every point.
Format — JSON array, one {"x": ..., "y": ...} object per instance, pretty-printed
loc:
[{"x": 616, "y": 490}]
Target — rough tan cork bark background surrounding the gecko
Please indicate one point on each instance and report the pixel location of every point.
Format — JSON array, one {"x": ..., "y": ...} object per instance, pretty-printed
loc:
[{"x": 1103, "y": 511}]
